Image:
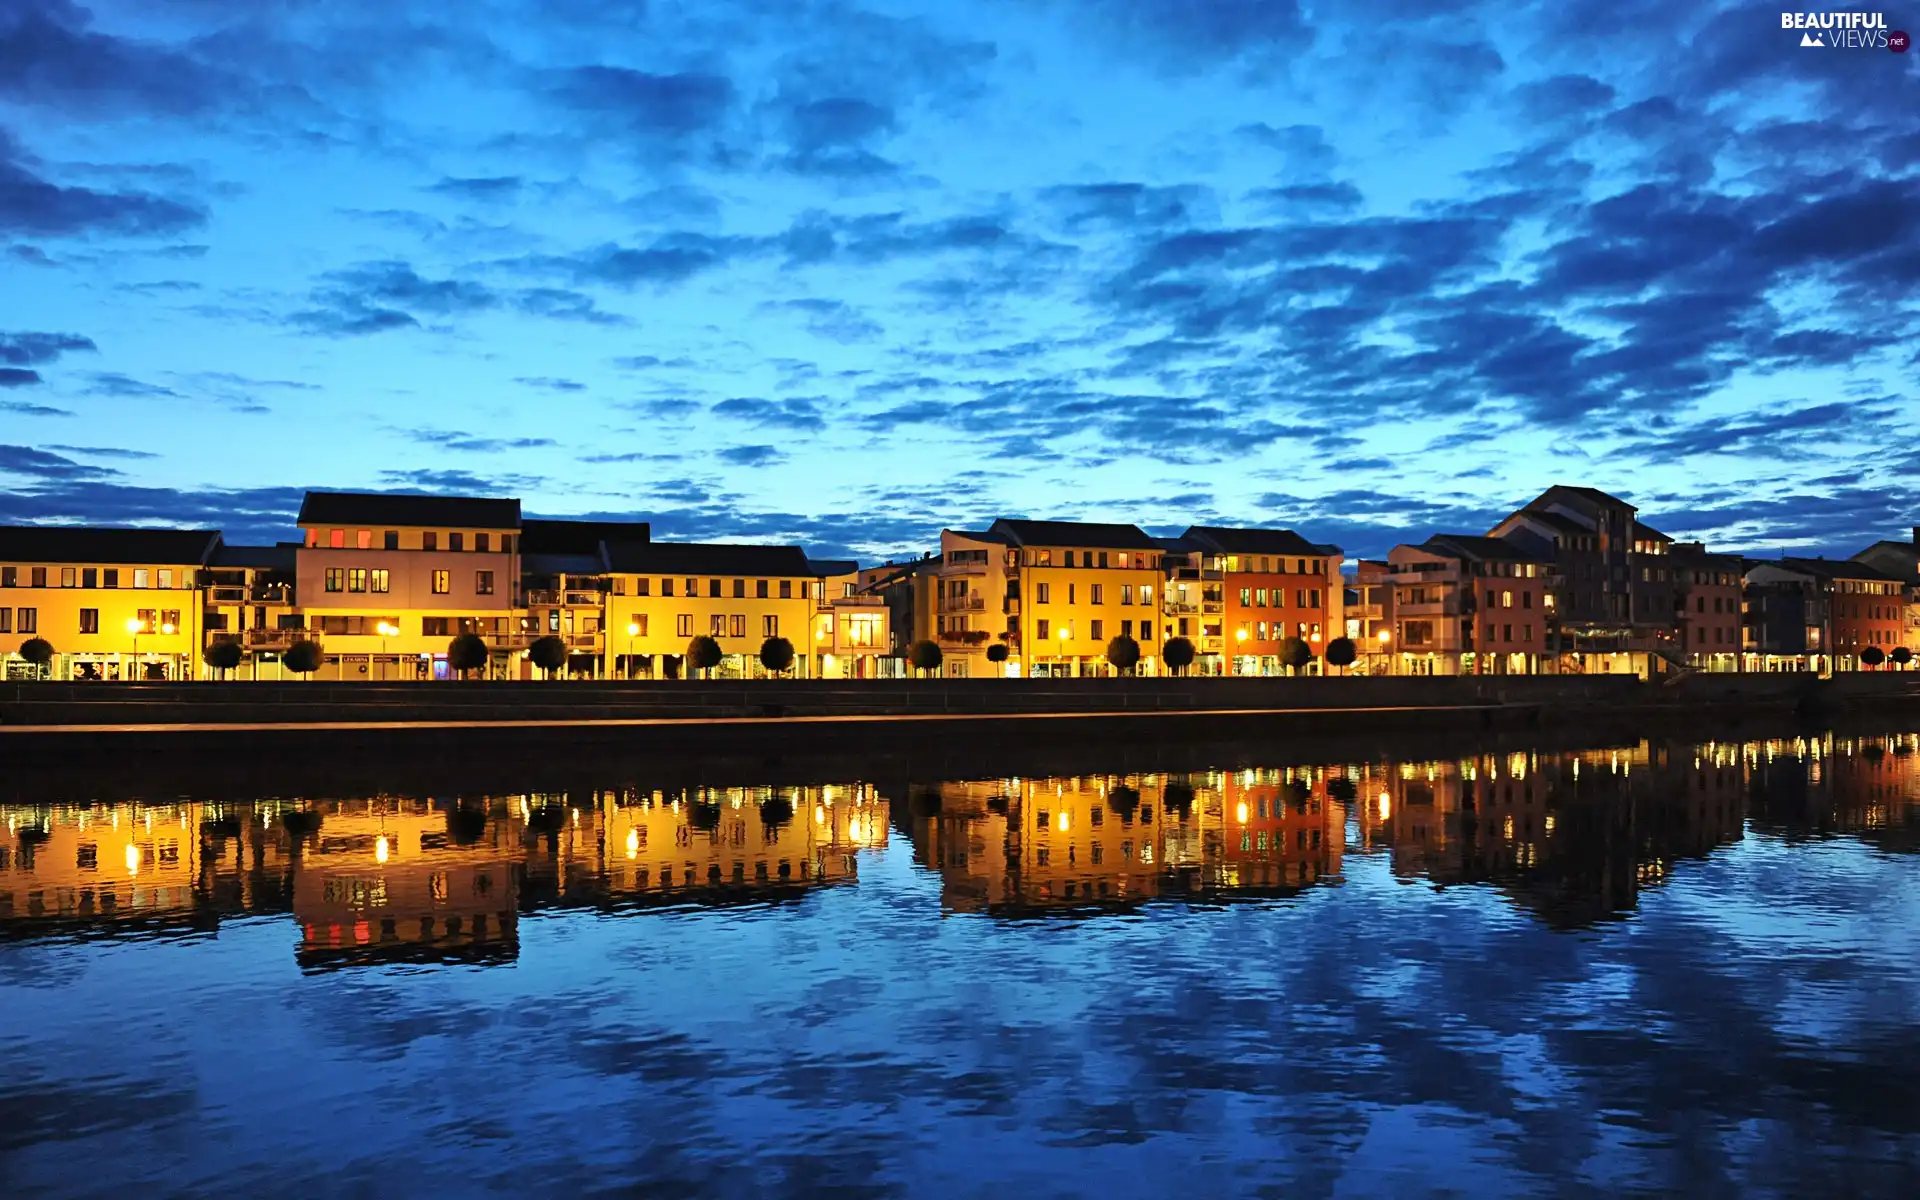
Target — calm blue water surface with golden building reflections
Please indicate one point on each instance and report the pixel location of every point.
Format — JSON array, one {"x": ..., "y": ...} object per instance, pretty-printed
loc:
[{"x": 1307, "y": 978}]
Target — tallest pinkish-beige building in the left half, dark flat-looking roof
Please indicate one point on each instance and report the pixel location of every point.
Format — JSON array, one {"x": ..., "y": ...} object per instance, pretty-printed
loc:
[{"x": 385, "y": 583}]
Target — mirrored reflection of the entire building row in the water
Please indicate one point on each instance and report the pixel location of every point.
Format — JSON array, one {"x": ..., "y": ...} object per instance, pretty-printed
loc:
[{"x": 1573, "y": 838}]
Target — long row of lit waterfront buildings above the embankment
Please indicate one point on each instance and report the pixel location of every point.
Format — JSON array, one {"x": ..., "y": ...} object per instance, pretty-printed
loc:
[{"x": 383, "y": 583}]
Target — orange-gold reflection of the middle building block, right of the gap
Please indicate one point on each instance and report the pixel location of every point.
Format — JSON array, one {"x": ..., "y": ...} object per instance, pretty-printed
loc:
[{"x": 1020, "y": 846}]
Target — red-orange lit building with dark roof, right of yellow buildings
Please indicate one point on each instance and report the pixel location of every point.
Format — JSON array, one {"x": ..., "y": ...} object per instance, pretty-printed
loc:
[{"x": 1276, "y": 587}]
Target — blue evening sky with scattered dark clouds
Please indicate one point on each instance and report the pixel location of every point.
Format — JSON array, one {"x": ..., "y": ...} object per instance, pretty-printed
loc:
[{"x": 846, "y": 274}]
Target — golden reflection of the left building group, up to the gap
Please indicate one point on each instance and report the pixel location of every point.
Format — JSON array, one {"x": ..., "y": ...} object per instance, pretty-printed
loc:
[{"x": 418, "y": 880}]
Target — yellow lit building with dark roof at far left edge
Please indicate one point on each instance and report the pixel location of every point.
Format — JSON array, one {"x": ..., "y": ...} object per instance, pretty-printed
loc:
[{"x": 116, "y": 606}]
